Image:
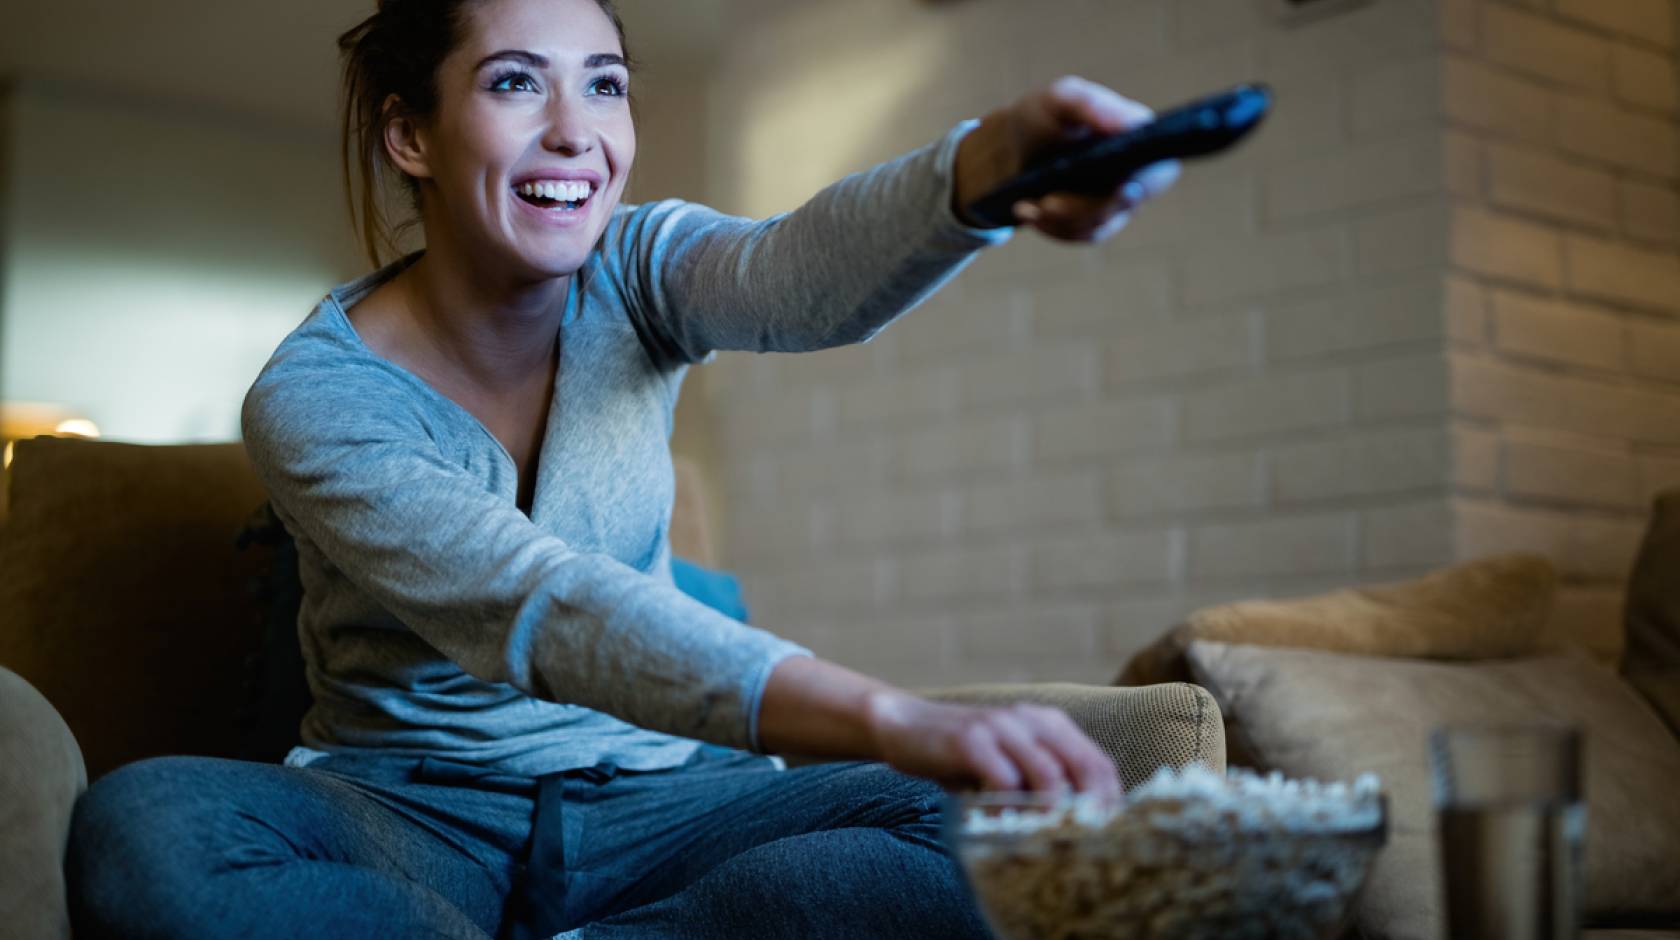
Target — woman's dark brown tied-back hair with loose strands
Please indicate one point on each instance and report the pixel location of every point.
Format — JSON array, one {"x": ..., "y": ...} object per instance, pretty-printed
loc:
[{"x": 397, "y": 53}]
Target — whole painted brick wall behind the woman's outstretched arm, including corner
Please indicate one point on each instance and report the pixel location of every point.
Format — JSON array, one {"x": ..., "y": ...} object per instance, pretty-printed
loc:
[{"x": 1397, "y": 328}]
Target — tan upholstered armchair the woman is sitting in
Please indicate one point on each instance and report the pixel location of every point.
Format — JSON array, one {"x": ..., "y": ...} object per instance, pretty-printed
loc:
[{"x": 149, "y": 607}]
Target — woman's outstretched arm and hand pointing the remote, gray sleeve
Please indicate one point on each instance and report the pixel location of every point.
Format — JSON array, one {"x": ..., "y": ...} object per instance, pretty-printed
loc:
[{"x": 866, "y": 249}]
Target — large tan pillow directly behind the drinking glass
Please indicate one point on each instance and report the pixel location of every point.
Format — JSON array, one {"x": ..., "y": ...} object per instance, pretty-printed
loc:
[{"x": 1331, "y": 716}]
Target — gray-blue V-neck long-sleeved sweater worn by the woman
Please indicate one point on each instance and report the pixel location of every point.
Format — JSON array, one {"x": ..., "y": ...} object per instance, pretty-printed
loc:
[{"x": 439, "y": 619}]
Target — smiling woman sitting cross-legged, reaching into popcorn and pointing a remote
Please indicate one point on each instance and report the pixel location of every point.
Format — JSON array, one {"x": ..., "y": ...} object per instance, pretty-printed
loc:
[{"x": 522, "y": 726}]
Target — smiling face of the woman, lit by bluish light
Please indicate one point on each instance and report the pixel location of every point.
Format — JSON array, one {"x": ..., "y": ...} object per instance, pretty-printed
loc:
[{"x": 533, "y": 115}]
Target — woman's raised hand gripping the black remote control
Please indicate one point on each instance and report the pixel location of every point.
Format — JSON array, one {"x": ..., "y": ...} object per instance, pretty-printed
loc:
[{"x": 1047, "y": 120}]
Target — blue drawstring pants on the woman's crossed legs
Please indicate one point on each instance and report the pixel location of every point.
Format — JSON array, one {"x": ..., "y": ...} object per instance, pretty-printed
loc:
[{"x": 350, "y": 847}]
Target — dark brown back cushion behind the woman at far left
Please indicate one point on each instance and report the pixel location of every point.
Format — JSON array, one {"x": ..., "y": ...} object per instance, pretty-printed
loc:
[{"x": 125, "y": 598}]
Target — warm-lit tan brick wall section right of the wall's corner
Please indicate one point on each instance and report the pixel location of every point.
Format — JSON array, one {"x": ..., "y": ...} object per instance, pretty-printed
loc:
[{"x": 1563, "y": 140}]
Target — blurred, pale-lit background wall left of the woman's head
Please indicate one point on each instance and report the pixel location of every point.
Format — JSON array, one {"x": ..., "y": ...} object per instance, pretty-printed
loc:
[{"x": 157, "y": 254}]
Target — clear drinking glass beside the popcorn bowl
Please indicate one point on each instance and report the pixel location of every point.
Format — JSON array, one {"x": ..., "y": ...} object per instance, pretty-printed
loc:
[{"x": 1511, "y": 822}]
